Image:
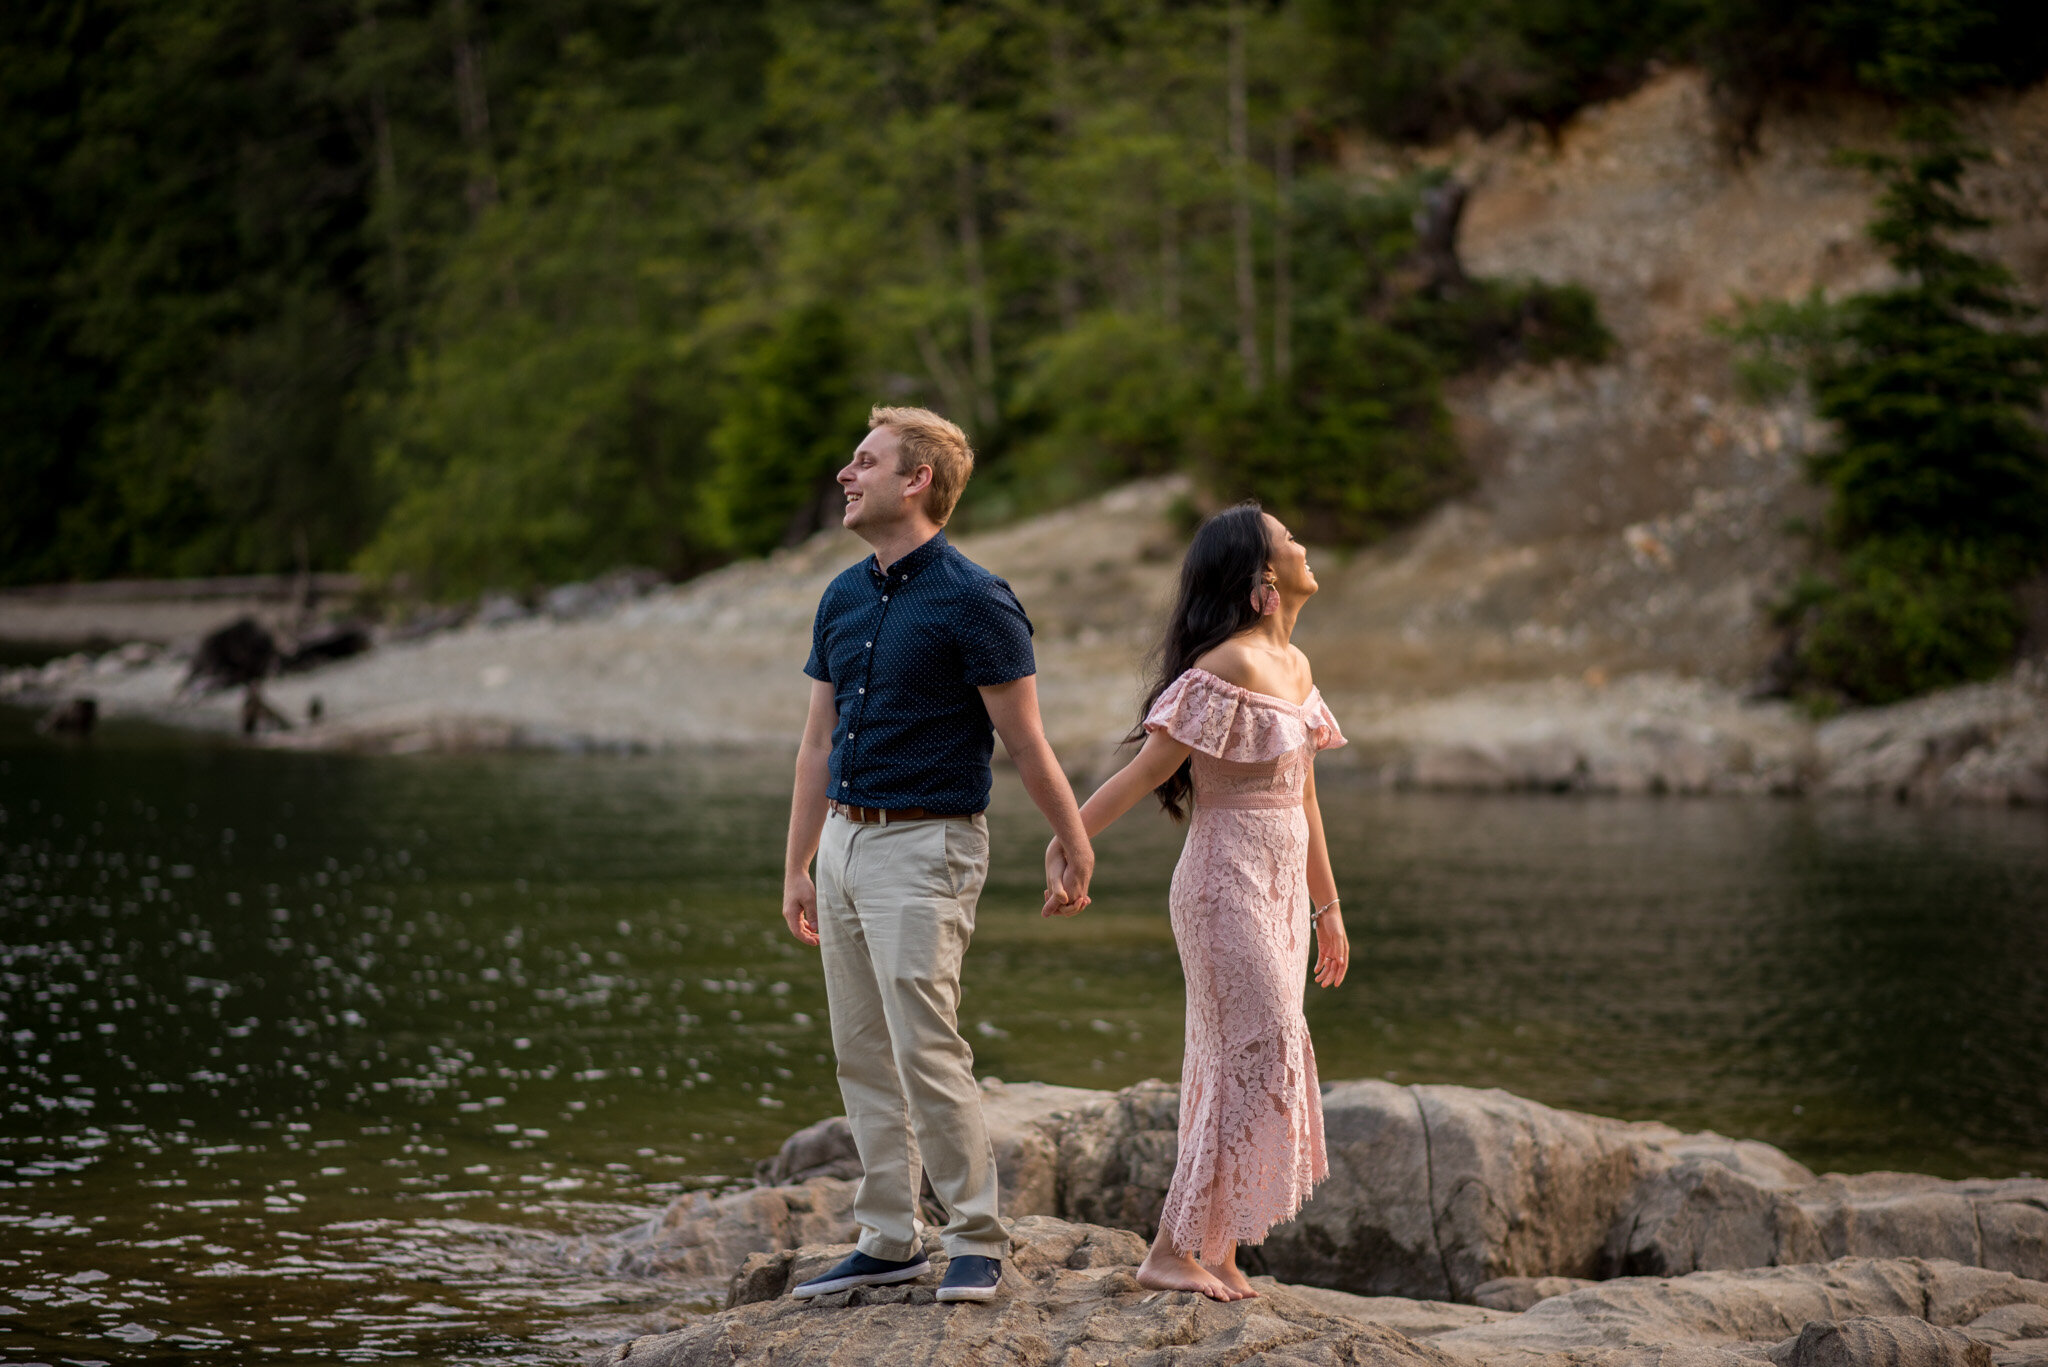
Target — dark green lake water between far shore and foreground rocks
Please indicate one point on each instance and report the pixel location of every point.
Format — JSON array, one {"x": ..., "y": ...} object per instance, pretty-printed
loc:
[{"x": 323, "y": 1057}]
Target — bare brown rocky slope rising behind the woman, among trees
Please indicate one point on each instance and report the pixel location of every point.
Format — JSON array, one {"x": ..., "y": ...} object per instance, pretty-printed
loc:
[{"x": 1633, "y": 515}]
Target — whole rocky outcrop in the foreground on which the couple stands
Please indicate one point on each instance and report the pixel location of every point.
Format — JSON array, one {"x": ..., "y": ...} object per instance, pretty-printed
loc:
[{"x": 1459, "y": 1227}]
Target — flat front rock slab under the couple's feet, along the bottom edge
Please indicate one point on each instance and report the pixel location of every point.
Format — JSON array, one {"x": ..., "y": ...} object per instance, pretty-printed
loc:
[{"x": 1070, "y": 1296}]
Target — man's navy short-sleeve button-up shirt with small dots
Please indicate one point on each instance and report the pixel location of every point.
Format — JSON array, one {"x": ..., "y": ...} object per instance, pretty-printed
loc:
[{"x": 906, "y": 653}]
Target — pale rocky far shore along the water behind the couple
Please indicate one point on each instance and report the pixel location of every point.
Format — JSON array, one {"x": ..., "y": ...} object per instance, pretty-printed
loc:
[{"x": 683, "y": 667}]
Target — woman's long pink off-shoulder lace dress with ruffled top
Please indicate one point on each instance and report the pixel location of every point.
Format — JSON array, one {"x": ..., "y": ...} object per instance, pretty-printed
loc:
[{"x": 1250, "y": 1108}]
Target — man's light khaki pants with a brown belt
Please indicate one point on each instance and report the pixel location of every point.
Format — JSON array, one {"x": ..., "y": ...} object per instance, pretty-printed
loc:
[{"x": 896, "y": 907}]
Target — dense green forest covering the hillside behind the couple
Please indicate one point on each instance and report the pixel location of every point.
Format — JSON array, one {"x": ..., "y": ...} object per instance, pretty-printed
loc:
[{"x": 515, "y": 292}]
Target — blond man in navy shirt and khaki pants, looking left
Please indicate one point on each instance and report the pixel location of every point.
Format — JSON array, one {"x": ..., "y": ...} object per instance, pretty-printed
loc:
[{"x": 916, "y": 655}]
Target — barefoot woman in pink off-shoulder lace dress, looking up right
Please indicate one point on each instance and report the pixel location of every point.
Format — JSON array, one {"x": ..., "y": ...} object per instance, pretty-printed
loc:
[{"x": 1234, "y": 720}]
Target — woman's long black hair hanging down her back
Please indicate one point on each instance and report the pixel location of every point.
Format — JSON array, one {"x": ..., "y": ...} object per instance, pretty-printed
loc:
[{"x": 1224, "y": 569}]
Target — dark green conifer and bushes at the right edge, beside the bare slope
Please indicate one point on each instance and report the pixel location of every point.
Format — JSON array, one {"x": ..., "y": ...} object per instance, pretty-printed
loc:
[{"x": 1940, "y": 464}]
